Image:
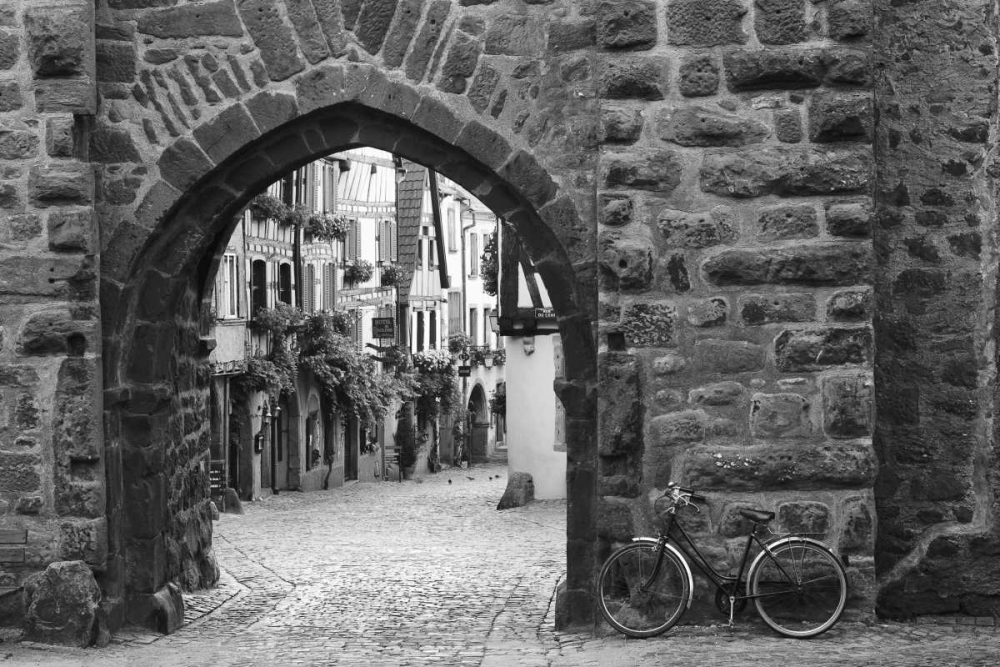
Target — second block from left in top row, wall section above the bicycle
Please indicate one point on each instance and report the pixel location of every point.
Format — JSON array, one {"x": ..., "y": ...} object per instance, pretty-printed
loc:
[{"x": 706, "y": 22}]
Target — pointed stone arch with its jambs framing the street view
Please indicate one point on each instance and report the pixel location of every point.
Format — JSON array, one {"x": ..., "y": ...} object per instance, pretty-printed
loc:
[{"x": 154, "y": 355}]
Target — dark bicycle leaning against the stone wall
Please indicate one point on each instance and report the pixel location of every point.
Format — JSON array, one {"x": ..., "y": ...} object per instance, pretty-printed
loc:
[{"x": 797, "y": 583}]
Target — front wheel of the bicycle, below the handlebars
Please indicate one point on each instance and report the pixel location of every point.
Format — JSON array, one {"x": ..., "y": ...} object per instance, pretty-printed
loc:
[{"x": 632, "y": 599}]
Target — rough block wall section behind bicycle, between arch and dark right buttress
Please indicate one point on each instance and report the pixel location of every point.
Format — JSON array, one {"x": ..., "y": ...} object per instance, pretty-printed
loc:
[{"x": 736, "y": 269}]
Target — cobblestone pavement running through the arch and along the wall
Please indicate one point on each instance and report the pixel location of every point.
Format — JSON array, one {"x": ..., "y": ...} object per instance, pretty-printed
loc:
[{"x": 431, "y": 574}]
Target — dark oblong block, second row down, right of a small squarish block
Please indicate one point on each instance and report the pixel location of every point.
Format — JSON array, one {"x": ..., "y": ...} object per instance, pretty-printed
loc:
[{"x": 774, "y": 69}]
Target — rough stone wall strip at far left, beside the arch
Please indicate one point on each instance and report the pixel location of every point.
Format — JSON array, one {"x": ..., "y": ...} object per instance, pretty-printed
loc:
[{"x": 52, "y": 491}]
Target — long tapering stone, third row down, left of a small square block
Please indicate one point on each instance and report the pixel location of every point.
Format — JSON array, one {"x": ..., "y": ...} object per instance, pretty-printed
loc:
[{"x": 700, "y": 126}]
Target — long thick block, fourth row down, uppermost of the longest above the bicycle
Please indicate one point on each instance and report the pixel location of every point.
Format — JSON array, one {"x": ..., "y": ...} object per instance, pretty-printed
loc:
[{"x": 784, "y": 172}]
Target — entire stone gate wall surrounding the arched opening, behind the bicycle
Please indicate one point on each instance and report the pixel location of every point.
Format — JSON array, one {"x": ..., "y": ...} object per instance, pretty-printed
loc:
[{"x": 787, "y": 318}]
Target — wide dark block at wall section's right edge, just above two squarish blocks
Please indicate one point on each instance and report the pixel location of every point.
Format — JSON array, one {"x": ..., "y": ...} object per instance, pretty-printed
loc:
[{"x": 798, "y": 350}]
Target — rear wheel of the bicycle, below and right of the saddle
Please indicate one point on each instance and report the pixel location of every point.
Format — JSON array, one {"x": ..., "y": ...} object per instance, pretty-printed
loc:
[{"x": 800, "y": 590}]
